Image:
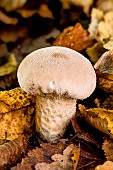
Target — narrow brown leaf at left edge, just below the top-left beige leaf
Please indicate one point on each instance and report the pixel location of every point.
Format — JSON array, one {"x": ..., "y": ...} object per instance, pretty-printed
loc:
[{"x": 8, "y": 20}]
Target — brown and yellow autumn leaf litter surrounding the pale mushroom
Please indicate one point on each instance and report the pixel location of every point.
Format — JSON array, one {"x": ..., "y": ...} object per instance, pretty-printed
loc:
[{"x": 84, "y": 26}]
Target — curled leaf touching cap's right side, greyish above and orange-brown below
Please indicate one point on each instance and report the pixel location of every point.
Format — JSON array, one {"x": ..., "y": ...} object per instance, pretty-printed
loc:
[{"x": 104, "y": 71}]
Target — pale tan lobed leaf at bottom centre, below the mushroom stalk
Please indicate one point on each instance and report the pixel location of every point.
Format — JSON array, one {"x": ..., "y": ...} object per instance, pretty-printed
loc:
[{"x": 62, "y": 162}]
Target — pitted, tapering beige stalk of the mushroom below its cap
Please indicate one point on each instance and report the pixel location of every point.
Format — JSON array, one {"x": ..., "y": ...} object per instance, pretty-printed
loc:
[{"x": 53, "y": 114}]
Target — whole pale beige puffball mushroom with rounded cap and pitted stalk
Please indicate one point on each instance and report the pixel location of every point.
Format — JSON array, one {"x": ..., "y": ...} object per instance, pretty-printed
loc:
[{"x": 57, "y": 76}]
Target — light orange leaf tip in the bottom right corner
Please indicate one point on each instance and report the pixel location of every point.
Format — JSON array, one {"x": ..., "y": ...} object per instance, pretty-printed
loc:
[{"x": 108, "y": 165}]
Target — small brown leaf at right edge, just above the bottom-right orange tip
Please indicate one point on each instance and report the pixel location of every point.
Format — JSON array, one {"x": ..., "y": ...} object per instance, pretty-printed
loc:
[{"x": 108, "y": 148}]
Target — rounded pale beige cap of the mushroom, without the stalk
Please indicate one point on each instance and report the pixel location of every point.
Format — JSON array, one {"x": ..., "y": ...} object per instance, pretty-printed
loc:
[{"x": 57, "y": 70}]
